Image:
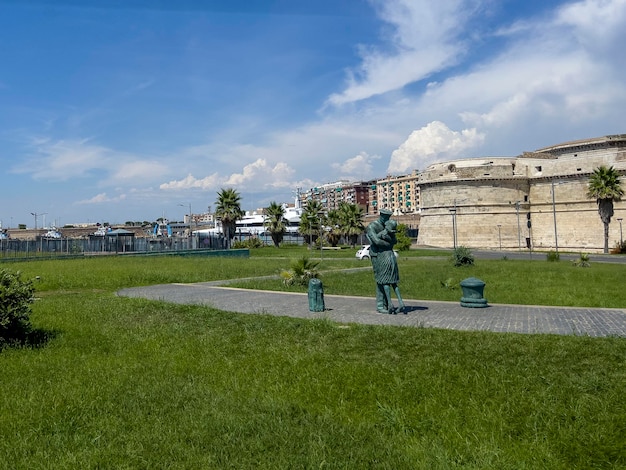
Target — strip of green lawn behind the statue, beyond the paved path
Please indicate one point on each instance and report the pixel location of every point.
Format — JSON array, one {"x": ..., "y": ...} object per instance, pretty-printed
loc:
[{"x": 433, "y": 277}]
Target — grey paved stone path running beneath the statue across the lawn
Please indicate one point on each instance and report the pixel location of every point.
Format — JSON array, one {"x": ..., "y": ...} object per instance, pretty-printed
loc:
[{"x": 421, "y": 313}]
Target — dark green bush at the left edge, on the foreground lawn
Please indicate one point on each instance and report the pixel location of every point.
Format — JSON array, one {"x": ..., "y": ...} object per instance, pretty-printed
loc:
[{"x": 16, "y": 297}]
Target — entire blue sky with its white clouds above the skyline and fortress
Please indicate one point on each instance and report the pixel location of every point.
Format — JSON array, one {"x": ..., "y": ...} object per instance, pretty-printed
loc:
[{"x": 135, "y": 109}]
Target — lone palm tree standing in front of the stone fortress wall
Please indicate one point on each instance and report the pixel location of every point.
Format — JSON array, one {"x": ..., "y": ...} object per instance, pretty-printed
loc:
[{"x": 605, "y": 187}]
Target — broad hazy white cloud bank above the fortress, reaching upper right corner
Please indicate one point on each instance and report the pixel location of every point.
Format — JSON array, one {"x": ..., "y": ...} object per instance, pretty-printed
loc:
[{"x": 556, "y": 79}]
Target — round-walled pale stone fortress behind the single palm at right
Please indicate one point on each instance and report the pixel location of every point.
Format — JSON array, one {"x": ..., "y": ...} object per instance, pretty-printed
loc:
[{"x": 538, "y": 199}]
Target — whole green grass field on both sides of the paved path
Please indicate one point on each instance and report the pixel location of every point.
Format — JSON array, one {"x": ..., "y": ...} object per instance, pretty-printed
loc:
[{"x": 130, "y": 383}]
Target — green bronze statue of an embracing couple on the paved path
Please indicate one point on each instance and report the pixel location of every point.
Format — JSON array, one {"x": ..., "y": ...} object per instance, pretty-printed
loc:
[{"x": 382, "y": 236}]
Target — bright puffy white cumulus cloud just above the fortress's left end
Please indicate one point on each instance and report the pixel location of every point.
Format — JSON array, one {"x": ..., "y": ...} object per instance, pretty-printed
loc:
[{"x": 431, "y": 143}]
